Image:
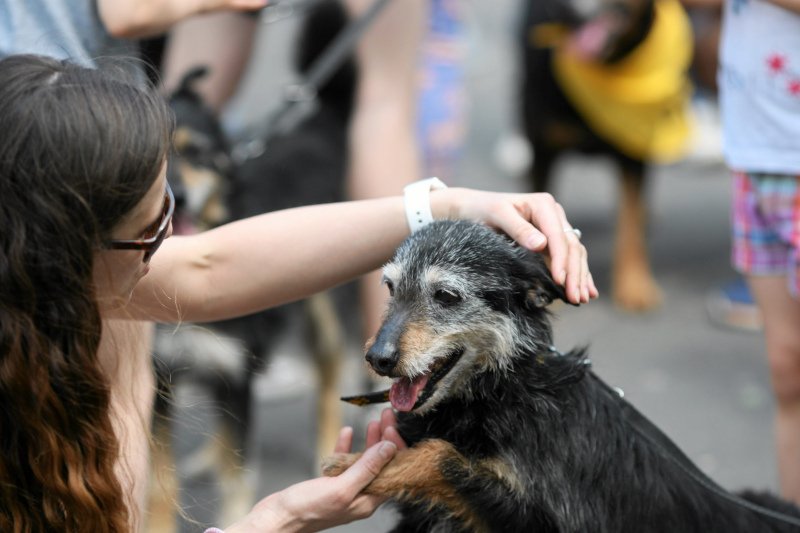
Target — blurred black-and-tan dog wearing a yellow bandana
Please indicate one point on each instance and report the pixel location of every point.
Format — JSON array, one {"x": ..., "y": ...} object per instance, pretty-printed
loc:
[{"x": 609, "y": 77}]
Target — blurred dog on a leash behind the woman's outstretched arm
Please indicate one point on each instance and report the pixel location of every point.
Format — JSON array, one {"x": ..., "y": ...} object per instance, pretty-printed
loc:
[{"x": 206, "y": 371}]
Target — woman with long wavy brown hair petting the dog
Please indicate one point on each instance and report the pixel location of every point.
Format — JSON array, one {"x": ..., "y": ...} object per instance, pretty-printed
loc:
[{"x": 84, "y": 206}]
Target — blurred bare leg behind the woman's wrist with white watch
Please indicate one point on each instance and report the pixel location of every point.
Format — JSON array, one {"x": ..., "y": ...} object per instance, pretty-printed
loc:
[{"x": 384, "y": 153}]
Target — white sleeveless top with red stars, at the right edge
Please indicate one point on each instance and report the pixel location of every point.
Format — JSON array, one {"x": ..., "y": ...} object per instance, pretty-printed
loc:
[{"x": 759, "y": 81}]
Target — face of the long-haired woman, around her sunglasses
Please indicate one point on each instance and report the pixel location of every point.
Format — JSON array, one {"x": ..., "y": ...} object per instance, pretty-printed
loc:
[{"x": 116, "y": 272}]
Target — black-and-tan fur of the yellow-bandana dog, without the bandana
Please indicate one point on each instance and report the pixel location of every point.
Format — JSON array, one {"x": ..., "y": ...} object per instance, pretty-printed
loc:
[{"x": 554, "y": 126}]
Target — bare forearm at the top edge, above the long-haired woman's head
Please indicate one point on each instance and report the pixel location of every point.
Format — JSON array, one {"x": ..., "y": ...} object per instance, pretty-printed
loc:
[{"x": 132, "y": 19}]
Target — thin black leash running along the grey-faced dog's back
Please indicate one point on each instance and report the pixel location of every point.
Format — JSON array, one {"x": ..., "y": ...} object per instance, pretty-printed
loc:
[{"x": 648, "y": 431}]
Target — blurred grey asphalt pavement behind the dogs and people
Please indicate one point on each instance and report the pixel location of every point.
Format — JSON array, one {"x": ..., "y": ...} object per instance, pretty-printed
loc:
[{"x": 706, "y": 387}]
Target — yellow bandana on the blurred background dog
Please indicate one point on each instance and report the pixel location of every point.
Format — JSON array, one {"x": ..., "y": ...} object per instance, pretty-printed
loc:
[{"x": 639, "y": 104}]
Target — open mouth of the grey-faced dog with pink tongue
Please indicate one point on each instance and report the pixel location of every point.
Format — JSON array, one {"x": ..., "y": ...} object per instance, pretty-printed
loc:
[{"x": 407, "y": 394}]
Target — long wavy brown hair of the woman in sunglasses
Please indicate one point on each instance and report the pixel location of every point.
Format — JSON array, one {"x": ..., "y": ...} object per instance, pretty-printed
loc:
[{"x": 79, "y": 148}]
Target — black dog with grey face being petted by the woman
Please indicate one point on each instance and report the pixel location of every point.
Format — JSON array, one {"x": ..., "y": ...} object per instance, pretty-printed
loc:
[{"x": 507, "y": 434}]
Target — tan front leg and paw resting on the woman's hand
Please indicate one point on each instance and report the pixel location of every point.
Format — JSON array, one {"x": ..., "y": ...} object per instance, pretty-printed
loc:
[{"x": 415, "y": 476}]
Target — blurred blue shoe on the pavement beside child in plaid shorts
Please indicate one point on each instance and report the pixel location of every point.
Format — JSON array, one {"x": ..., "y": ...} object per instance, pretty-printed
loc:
[{"x": 732, "y": 306}]
